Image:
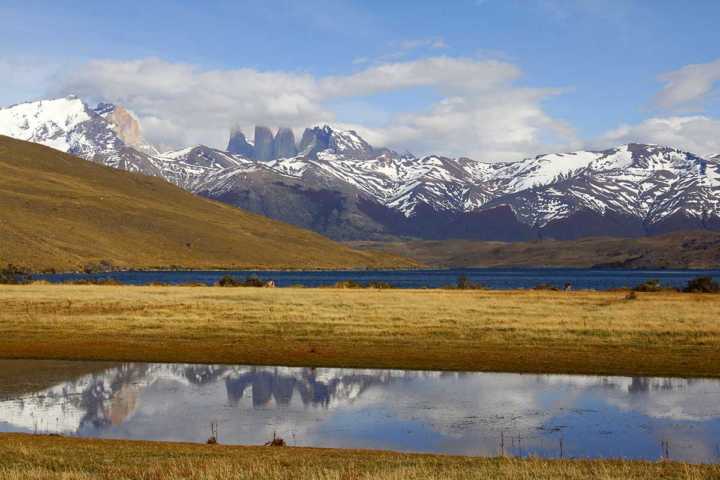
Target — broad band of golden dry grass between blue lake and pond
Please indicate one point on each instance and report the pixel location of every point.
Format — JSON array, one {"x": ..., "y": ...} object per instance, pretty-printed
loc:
[{"x": 515, "y": 331}]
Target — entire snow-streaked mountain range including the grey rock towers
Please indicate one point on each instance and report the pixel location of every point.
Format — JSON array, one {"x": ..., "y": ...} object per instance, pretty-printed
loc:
[{"x": 336, "y": 183}]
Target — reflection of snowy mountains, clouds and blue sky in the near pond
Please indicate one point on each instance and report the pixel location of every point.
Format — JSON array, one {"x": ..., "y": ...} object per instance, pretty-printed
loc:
[{"x": 463, "y": 413}]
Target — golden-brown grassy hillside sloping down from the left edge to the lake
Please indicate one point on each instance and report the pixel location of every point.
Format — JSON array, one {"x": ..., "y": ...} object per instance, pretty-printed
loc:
[{"x": 61, "y": 212}]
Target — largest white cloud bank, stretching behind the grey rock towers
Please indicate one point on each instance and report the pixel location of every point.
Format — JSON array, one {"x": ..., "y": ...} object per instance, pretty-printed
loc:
[{"x": 481, "y": 113}]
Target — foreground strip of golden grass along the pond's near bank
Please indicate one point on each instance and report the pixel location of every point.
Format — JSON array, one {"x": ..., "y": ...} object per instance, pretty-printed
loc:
[{"x": 37, "y": 457}]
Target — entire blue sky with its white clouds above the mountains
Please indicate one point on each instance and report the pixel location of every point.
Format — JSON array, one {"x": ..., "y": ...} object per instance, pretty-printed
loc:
[{"x": 494, "y": 80}]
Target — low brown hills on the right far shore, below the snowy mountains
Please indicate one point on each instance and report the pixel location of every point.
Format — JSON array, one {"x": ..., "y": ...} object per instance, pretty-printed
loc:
[{"x": 698, "y": 249}]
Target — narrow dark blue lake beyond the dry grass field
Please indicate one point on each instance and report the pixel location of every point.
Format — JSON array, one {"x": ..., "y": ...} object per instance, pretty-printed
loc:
[{"x": 491, "y": 278}]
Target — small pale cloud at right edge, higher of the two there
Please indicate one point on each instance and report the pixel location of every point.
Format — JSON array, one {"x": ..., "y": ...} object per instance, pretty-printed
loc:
[{"x": 688, "y": 86}]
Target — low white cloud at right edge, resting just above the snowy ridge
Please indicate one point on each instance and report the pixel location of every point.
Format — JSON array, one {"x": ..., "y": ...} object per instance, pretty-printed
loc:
[{"x": 697, "y": 134}]
